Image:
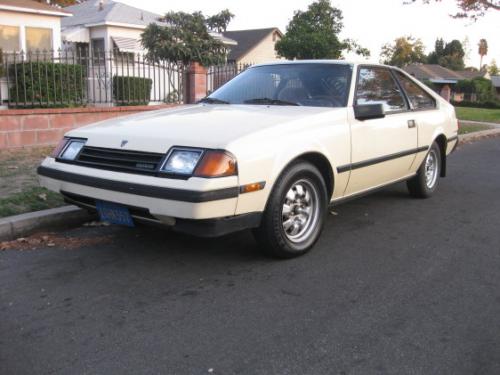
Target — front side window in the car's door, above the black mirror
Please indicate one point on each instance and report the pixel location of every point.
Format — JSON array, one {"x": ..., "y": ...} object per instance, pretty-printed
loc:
[{"x": 377, "y": 86}]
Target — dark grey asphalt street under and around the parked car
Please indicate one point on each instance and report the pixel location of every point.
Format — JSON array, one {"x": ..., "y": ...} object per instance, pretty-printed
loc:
[{"x": 395, "y": 286}]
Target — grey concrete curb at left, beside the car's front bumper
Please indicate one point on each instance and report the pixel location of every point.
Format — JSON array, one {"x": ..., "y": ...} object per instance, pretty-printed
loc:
[{"x": 24, "y": 224}]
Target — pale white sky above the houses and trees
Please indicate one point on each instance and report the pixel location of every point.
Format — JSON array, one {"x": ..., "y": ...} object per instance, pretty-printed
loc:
[{"x": 371, "y": 22}]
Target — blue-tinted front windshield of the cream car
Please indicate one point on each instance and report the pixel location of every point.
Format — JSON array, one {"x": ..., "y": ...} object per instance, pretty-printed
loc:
[{"x": 311, "y": 85}]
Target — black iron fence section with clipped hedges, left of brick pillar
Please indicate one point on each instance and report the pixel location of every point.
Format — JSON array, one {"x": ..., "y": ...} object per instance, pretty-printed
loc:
[{"x": 71, "y": 78}]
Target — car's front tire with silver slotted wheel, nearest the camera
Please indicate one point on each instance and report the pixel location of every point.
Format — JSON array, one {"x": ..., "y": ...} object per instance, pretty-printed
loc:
[{"x": 295, "y": 212}]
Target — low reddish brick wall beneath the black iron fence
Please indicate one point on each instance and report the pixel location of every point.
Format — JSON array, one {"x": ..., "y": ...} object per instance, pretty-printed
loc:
[{"x": 45, "y": 127}]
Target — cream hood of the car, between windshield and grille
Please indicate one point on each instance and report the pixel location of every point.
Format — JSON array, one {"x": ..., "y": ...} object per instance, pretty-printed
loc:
[{"x": 202, "y": 125}]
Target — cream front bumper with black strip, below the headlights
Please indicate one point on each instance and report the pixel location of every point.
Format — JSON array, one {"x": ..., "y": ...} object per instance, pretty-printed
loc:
[{"x": 162, "y": 198}]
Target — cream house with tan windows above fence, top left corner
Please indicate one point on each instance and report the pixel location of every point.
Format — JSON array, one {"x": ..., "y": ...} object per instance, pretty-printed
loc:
[{"x": 27, "y": 25}]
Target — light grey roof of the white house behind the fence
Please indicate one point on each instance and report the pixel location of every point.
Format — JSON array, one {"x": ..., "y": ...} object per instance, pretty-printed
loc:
[{"x": 89, "y": 13}]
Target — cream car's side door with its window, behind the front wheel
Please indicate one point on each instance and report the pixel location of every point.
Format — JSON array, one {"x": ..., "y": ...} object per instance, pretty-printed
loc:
[{"x": 383, "y": 149}]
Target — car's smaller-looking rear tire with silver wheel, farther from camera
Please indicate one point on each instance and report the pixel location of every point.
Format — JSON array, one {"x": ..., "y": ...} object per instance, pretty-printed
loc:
[{"x": 425, "y": 182}]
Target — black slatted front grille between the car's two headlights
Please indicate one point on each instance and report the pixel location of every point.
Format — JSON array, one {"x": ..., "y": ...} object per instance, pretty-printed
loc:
[{"x": 120, "y": 160}]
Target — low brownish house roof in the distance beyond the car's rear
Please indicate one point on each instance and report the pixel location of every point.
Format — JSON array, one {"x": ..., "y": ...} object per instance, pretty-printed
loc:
[{"x": 439, "y": 74}]
